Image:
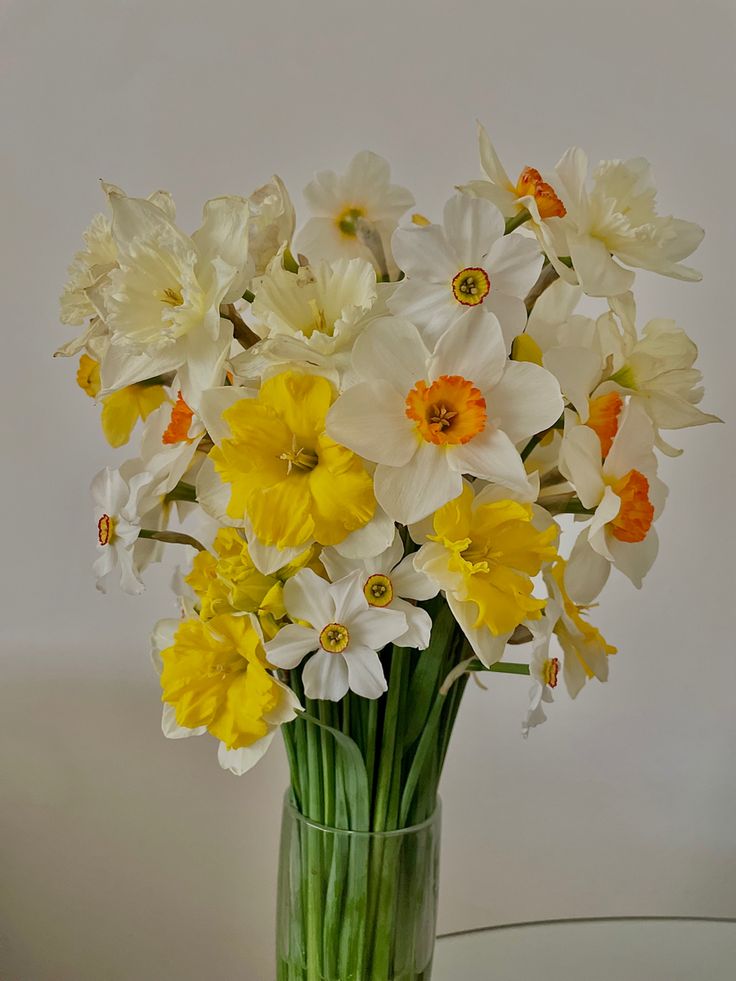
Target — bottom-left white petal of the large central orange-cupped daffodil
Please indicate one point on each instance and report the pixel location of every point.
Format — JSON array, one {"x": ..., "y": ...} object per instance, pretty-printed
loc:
[{"x": 421, "y": 486}]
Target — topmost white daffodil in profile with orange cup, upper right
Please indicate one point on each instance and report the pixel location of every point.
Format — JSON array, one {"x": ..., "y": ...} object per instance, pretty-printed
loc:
[{"x": 531, "y": 192}]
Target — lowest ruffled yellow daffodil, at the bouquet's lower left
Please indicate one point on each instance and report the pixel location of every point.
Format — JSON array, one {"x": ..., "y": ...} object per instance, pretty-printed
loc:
[{"x": 215, "y": 675}]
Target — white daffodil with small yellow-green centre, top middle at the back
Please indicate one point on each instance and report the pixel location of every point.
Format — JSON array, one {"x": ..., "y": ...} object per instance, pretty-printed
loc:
[{"x": 354, "y": 214}]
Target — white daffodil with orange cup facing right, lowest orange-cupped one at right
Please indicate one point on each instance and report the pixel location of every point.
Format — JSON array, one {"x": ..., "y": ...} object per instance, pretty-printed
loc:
[{"x": 627, "y": 497}]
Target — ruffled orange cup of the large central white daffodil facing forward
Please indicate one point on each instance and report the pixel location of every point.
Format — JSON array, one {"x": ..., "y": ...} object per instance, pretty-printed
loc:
[{"x": 451, "y": 410}]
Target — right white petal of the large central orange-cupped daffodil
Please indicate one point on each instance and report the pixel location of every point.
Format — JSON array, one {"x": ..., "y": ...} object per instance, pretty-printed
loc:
[{"x": 526, "y": 401}]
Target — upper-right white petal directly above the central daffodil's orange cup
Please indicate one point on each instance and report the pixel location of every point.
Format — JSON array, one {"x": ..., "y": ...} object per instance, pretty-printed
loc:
[{"x": 473, "y": 348}]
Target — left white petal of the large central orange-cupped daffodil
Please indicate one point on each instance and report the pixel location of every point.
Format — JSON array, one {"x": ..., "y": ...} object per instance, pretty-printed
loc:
[{"x": 370, "y": 418}]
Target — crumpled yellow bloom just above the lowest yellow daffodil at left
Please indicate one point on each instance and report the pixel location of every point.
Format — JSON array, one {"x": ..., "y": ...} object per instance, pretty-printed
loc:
[{"x": 229, "y": 582}]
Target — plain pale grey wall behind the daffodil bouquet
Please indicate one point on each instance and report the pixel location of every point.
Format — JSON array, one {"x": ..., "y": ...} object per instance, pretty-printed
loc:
[{"x": 127, "y": 857}]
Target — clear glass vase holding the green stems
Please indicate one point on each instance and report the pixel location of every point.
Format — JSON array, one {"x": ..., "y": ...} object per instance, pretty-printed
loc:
[{"x": 356, "y": 905}]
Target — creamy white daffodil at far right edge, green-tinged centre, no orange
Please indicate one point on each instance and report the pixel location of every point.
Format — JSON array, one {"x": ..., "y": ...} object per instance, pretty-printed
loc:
[{"x": 656, "y": 369}]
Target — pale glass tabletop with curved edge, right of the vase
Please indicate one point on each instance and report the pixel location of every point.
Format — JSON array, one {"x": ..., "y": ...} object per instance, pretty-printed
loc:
[{"x": 635, "y": 949}]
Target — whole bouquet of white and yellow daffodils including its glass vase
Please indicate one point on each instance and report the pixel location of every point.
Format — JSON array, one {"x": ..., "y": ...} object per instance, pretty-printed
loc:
[{"x": 363, "y": 435}]
